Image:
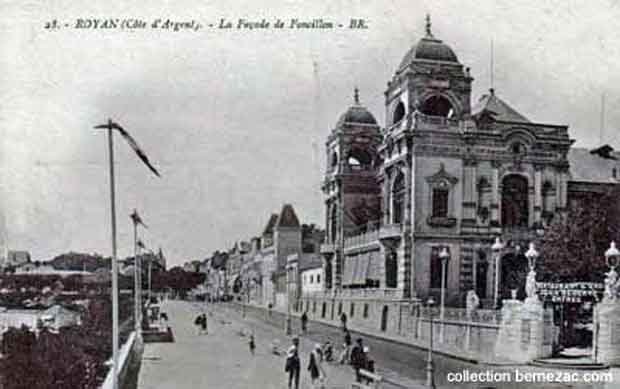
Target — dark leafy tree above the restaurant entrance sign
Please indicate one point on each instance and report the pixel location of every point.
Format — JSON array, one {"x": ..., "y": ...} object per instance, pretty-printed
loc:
[{"x": 573, "y": 247}]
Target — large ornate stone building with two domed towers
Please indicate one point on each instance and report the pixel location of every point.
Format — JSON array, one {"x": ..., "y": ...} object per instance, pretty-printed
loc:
[{"x": 443, "y": 172}]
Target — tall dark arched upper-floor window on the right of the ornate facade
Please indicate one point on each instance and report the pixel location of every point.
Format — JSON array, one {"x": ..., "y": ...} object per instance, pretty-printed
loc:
[{"x": 515, "y": 212}]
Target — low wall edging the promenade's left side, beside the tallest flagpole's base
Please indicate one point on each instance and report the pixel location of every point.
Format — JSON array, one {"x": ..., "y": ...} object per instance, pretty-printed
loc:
[{"x": 129, "y": 360}]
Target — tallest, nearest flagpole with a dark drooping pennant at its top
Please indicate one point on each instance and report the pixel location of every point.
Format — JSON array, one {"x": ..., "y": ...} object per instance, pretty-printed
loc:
[{"x": 111, "y": 126}]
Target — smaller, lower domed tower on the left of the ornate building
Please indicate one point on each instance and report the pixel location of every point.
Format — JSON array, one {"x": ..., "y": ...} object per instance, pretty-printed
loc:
[{"x": 352, "y": 194}]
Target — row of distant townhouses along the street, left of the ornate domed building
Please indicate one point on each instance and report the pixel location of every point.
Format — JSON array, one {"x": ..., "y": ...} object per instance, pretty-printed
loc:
[{"x": 255, "y": 271}]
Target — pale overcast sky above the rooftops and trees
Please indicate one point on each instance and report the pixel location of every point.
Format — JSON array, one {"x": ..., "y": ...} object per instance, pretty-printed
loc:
[{"x": 230, "y": 117}]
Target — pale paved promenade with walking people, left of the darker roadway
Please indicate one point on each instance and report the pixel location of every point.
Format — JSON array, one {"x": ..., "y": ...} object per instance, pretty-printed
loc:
[{"x": 222, "y": 359}]
